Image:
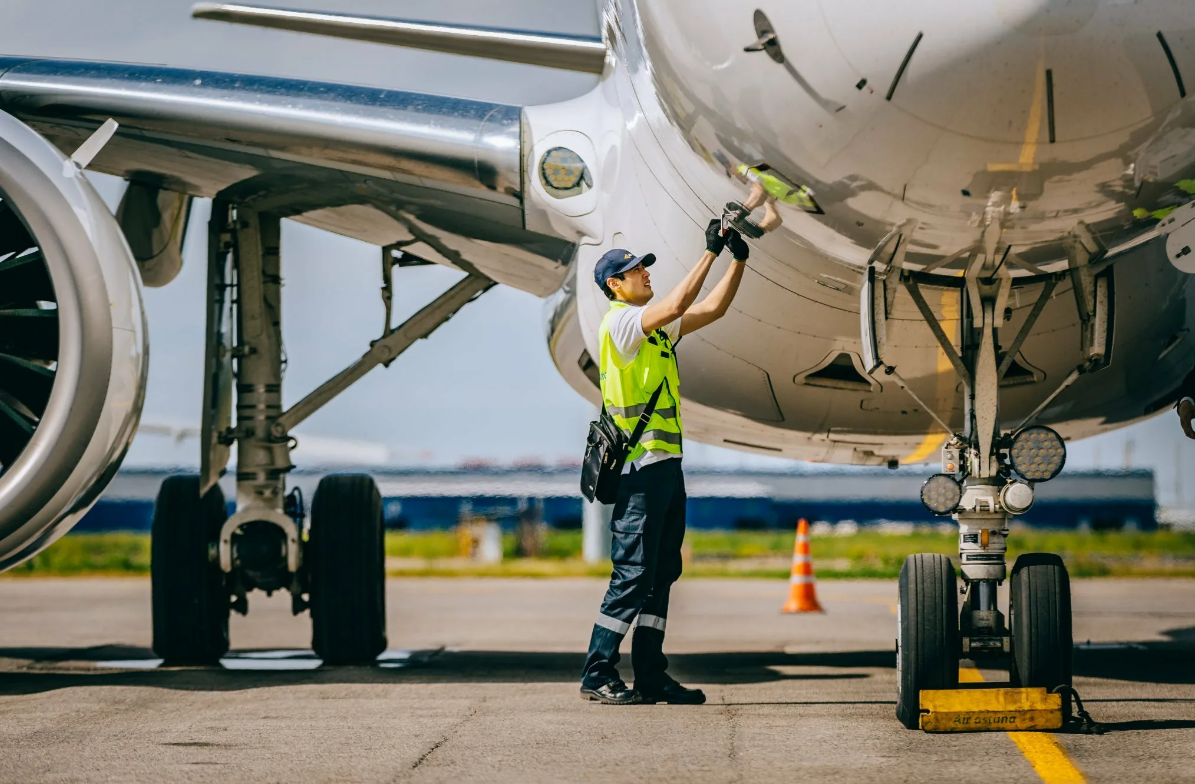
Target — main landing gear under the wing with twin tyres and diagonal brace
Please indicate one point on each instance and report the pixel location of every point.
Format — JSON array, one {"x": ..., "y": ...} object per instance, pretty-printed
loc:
[{"x": 205, "y": 562}]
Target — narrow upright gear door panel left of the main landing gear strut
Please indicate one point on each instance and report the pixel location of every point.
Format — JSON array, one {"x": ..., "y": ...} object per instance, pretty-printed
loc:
[{"x": 217, "y": 420}]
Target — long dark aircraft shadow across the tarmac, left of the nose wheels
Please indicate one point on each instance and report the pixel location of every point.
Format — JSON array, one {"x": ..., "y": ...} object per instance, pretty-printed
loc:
[{"x": 48, "y": 670}]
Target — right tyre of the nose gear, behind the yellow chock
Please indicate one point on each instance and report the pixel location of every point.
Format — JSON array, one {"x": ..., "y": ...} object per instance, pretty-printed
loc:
[{"x": 1040, "y": 622}]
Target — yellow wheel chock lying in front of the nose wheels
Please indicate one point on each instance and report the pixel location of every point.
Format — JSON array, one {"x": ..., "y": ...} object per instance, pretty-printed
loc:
[{"x": 988, "y": 709}]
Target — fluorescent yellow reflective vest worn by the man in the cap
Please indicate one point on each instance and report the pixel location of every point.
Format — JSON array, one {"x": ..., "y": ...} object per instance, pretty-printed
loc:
[{"x": 628, "y": 387}]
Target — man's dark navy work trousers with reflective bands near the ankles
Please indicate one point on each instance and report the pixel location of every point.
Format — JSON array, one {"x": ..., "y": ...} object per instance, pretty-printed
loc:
[{"x": 648, "y": 529}]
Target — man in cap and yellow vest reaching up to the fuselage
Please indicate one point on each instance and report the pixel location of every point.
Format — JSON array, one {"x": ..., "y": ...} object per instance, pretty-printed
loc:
[{"x": 638, "y": 344}]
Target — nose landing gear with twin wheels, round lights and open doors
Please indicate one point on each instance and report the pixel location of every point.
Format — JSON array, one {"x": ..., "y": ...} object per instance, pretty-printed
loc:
[{"x": 989, "y": 474}]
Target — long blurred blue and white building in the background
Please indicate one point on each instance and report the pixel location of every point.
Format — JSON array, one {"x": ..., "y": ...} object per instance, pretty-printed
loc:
[{"x": 427, "y": 500}]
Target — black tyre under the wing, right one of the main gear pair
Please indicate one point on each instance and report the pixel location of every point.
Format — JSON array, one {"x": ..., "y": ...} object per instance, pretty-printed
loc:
[{"x": 346, "y": 569}]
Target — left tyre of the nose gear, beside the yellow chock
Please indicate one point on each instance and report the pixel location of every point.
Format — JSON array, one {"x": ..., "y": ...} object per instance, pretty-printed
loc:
[{"x": 928, "y": 627}]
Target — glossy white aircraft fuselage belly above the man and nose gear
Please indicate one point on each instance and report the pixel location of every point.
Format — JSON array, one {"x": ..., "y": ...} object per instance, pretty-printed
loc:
[{"x": 1037, "y": 115}]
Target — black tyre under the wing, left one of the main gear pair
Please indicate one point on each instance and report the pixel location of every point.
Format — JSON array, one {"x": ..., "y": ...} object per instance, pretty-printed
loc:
[{"x": 191, "y": 604}]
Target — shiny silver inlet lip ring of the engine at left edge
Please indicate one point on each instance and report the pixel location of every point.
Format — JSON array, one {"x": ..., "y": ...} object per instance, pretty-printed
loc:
[{"x": 53, "y": 207}]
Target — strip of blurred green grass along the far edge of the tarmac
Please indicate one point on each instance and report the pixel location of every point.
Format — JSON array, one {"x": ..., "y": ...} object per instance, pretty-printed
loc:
[{"x": 709, "y": 554}]
